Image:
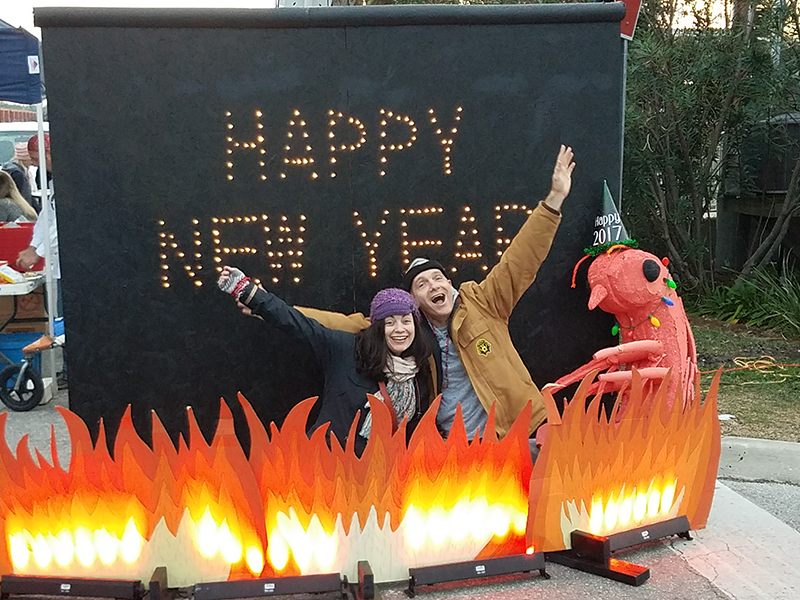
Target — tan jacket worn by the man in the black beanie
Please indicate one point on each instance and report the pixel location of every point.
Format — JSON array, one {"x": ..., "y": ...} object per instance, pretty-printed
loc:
[{"x": 479, "y": 325}]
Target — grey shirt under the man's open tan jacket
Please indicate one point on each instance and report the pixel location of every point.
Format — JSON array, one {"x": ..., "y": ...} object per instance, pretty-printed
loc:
[{"x": 457, "y": 389}]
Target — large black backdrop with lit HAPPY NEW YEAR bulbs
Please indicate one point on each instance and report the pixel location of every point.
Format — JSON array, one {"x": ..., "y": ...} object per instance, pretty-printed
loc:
[{"x": 156, "y": 118}]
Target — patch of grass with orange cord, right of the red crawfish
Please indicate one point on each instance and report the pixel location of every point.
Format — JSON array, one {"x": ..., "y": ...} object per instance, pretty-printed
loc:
[{"x": 763, "y": 396}]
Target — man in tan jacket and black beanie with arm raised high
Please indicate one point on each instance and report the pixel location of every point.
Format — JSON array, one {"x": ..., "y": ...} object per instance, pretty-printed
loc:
[{"x": 476, "y": 363}]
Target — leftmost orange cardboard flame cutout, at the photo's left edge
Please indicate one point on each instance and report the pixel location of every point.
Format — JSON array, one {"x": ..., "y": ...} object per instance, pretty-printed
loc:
[{"x": 96, "y": 518}]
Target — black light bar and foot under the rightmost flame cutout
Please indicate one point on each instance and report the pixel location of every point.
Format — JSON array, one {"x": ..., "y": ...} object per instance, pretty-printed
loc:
[{"x": 592, "y": 553}]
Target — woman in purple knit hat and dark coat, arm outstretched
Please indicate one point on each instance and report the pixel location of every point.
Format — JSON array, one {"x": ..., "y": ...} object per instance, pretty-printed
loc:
[{"x": 388, "y": 358}]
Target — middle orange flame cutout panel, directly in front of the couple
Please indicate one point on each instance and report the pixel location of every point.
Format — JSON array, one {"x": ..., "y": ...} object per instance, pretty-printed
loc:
[{"x": 432, "y": 501}]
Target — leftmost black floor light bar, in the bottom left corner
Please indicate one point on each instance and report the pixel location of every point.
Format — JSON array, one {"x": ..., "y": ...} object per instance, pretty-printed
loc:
[{"x": 34, "y": 585}]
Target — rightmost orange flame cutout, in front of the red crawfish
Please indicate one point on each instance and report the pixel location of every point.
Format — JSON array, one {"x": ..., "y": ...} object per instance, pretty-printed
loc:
[{"x": 648, "y": 464}]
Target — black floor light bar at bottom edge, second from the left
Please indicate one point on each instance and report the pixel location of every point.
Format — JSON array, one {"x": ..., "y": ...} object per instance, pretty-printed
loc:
[{"x": 255, "y": 588}]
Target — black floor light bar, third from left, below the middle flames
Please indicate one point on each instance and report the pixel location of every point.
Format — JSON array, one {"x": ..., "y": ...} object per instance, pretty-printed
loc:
[{"x": 475, "y": 569}]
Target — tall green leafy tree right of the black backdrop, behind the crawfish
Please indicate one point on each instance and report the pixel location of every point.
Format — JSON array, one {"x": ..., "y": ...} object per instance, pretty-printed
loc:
[{"x": 693, "y": 94}]
